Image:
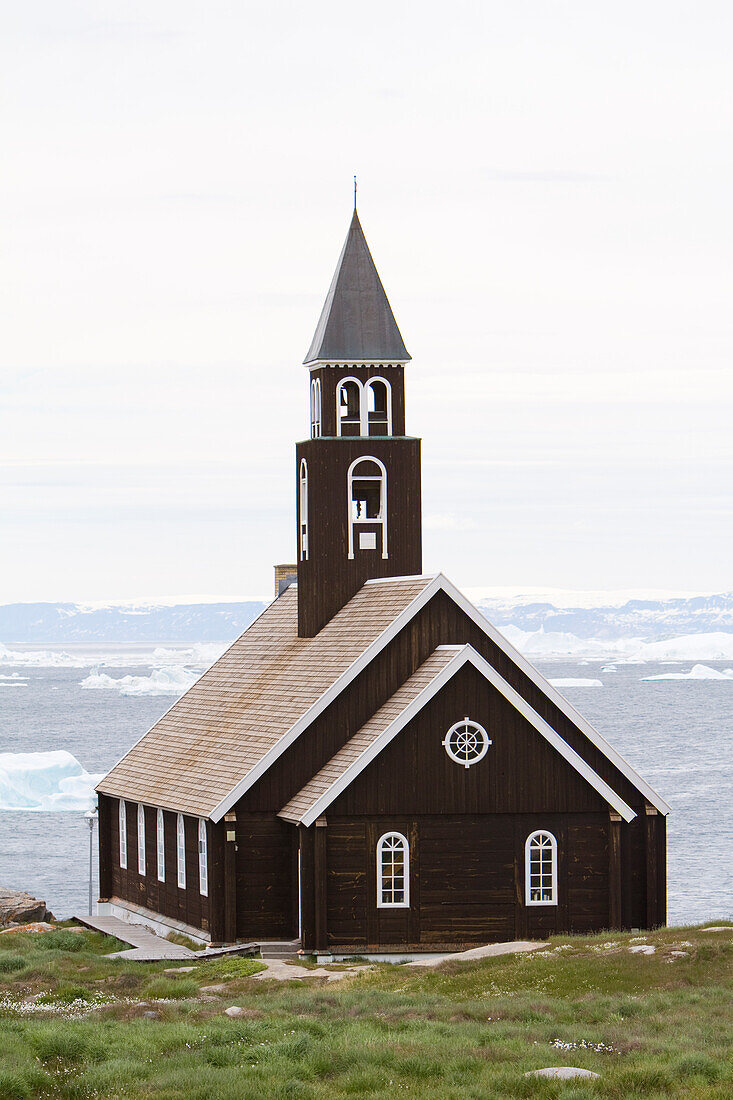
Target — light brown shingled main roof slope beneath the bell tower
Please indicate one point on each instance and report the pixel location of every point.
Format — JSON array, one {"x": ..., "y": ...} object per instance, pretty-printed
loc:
[{"x": 254, "y": 702}]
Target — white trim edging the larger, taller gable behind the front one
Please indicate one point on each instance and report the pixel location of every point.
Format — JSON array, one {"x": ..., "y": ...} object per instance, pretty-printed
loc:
[{"x": 436, "y": 585}]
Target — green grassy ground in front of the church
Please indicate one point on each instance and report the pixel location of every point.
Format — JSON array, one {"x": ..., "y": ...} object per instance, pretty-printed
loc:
[{"x": 73, "y": 1025}]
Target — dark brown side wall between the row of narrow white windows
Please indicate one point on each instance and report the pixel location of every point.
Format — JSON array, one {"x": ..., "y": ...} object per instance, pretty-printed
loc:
[{"x": 167, "y": 898}]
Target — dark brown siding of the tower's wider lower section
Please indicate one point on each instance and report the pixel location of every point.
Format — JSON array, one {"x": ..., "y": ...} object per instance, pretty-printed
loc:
[{"x": 329, "y": 578}]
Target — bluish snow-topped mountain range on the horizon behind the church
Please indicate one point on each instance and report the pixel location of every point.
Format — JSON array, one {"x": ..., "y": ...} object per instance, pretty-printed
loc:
[{"x": 651, "y": 620}]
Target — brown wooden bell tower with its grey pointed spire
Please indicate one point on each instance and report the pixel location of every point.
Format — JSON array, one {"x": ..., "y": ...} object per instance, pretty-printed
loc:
[{"x": 359, "y": 475}]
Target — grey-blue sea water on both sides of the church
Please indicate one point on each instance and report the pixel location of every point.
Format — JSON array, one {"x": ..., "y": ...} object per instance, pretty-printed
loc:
[{"x": 677, "y": 734}]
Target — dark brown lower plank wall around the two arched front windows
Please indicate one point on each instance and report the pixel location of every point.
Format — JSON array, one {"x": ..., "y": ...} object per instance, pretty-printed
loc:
[{"x": 467, "y": 881}]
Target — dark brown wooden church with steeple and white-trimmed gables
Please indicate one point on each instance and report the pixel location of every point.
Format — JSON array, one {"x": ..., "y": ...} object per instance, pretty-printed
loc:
[{"x": 371, "y": 768}]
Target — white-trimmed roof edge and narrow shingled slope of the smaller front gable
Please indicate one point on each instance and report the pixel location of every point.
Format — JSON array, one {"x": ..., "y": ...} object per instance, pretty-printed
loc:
[{"x": 314, "y": 800}]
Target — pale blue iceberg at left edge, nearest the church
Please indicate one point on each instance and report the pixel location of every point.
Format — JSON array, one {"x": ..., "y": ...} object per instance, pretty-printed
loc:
[{"x": 47, "y": 782}]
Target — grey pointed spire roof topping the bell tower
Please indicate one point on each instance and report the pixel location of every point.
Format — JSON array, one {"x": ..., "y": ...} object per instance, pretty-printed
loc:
[{"x": 357, "y": 322}]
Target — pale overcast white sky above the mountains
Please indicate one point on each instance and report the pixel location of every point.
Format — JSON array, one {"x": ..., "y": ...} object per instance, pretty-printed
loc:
[{"x": 546, "y": 191}]
